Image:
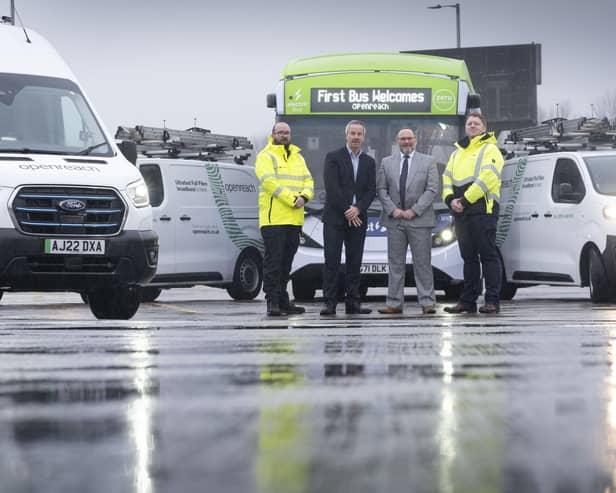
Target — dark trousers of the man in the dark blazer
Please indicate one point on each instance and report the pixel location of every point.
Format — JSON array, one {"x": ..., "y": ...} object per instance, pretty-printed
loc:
[{"x": 335, "y": 236}]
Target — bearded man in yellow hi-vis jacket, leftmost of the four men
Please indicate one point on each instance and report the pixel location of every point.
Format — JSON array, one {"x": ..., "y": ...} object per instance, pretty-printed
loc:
[{"x": 285, "y": 186}]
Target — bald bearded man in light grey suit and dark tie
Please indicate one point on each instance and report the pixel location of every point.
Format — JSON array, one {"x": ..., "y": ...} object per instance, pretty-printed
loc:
[{"x": 407, "y": 184}]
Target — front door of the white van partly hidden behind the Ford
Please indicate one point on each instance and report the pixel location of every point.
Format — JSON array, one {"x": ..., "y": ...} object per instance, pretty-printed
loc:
[{"x": 155, "y": 178}]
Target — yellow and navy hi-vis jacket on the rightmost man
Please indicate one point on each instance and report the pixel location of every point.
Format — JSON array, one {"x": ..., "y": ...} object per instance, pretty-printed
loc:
[{"x": 473, "y": 173}]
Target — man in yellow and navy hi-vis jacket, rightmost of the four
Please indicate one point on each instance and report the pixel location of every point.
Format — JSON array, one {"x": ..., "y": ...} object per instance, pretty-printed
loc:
[{"x": 471, "y": 189}]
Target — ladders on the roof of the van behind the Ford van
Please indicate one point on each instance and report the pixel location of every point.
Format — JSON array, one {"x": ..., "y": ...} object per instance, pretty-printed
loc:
[{"x": 193, "y": 143}]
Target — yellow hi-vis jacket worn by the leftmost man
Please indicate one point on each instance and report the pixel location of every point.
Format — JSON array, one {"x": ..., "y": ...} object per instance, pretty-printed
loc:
[{"x": 282, "y": 178}]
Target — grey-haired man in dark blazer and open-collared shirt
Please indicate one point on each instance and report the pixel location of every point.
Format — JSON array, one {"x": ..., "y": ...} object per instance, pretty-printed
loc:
[{"x": 350, "y": 186}]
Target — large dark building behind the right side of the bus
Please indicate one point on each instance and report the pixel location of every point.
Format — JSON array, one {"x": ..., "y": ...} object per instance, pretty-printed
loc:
[{"x": 506, "y": 77}]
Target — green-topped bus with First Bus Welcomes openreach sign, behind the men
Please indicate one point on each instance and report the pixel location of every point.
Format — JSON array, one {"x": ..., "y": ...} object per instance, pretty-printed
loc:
[{"x": 317, "y": 96}]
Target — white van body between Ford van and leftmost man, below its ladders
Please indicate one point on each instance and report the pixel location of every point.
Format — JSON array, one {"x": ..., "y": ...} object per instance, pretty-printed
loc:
[{"x": 206, "y": 217}]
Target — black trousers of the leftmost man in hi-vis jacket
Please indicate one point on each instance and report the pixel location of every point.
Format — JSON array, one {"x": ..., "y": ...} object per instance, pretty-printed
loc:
[{"x": 281, "y": 243}]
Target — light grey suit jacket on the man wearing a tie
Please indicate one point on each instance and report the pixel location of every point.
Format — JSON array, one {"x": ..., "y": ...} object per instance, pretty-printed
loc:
[{"x": 421, "y": 188}]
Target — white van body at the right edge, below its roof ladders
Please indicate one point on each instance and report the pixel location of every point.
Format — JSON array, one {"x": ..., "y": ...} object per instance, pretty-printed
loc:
[{"x": 557, "y": 222}]
